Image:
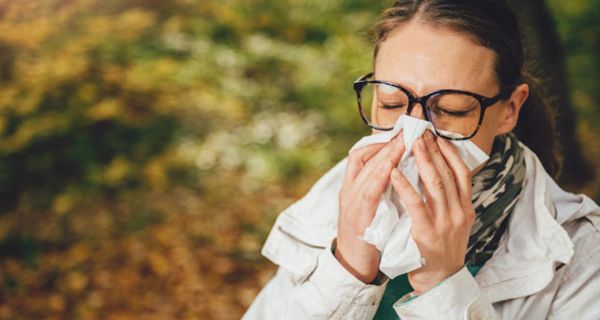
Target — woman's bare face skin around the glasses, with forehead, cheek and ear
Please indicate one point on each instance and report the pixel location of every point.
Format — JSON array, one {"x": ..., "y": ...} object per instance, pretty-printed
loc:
[{"x": 426, "y": 59}]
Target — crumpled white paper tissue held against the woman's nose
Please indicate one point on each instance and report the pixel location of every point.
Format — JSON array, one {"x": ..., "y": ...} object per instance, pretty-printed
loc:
[{"x": 390, "y": 229}]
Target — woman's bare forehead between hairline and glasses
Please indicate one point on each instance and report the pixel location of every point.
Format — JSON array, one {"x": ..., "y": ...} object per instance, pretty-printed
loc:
[{"x": 426, "y": 59}]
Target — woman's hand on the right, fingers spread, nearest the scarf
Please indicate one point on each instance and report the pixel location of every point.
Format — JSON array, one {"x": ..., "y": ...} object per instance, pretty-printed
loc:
[{"x": 441, "y": 224}]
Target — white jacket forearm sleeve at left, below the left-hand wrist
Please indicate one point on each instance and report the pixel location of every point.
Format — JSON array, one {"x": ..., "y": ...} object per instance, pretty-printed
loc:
[{"x": 327, "y": 291}]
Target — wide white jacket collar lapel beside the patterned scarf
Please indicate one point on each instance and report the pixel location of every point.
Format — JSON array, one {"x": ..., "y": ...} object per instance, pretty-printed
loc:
[{"x": 535, "y": 243}]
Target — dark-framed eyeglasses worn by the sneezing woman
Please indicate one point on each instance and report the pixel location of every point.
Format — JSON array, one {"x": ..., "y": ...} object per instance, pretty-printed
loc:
[{"x": 455, "y": 114}]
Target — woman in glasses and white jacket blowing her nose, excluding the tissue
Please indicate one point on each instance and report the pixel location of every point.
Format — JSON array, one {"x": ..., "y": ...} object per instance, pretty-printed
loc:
[{"x": 500, "y": 241}]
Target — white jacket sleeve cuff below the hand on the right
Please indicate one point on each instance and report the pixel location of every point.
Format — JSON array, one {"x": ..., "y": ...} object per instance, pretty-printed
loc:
[{"x": 457, "y": 297}]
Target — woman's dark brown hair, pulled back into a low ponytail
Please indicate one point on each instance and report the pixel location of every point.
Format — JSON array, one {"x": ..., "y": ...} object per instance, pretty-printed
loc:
[{"x": 494, "y": 25}]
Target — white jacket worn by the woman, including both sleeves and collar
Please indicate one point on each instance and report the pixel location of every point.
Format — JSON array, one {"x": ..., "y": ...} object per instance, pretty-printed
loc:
[{"x": 547, "y": 265}]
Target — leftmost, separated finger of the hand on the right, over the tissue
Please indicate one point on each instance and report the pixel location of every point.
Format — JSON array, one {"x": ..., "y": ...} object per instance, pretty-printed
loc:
[{"x": 412, "y": 200}]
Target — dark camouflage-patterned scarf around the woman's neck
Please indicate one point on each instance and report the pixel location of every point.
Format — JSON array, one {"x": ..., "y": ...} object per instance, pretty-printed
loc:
[{"x": 496, "y": 190}]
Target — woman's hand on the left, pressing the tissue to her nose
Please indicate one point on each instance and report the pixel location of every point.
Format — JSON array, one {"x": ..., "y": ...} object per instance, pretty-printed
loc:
[{"x": 367, "y": 176}]
